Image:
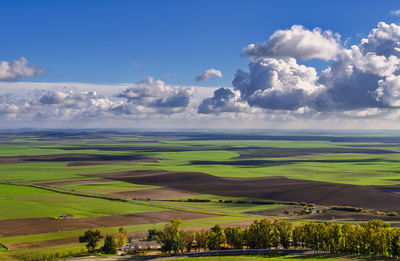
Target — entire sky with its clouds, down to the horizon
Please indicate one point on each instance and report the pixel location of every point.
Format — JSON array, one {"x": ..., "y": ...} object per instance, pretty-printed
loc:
[{"x": 200, "y": 64}]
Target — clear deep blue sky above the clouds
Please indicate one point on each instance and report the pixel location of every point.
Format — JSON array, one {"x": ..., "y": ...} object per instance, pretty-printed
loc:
[{"x": 101, "y": 41}]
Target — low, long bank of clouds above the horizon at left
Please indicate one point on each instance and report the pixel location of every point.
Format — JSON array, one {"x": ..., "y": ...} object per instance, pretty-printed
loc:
[{"x": 142, "y": 99}]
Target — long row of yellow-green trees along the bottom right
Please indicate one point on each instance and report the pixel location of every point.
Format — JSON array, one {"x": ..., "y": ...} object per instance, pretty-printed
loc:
[{"x": 372, "y": 238}]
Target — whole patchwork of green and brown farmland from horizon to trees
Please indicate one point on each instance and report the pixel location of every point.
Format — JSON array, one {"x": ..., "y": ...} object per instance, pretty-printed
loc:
[{"x": 107, "y": 179}]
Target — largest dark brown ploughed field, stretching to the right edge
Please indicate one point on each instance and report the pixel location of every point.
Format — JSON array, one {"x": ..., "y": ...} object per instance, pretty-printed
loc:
[{"x": 276, "y": 188}]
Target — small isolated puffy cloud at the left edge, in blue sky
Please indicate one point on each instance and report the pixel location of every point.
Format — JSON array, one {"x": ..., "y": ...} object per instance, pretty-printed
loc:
[{"x": 17, "y": 69}]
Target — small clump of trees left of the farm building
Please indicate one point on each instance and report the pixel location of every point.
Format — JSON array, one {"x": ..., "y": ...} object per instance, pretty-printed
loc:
[{"x": 111, "y": 243}]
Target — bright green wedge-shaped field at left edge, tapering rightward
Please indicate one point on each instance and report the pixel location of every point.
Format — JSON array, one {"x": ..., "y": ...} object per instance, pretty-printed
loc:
[{"x": 35, "y": 203}]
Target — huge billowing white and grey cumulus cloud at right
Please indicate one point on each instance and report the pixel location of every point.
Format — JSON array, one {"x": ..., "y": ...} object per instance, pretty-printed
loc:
[{"x": 361, "y": 77}]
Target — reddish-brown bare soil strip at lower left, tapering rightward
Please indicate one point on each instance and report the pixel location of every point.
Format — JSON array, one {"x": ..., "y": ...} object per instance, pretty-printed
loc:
[{"x": 15, "y": 227}]
